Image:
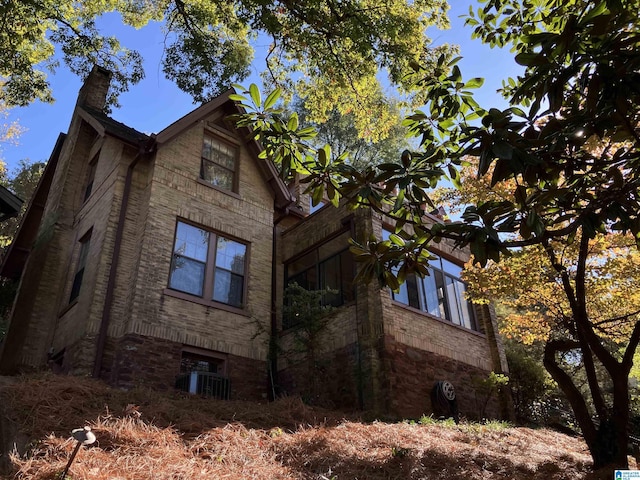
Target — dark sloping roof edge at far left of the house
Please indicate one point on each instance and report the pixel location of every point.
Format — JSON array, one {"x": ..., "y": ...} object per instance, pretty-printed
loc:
[{"x": 19, "y": 250}]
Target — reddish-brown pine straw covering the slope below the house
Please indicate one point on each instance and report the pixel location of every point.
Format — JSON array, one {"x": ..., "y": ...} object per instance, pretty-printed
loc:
[{"x": 146, "y": 435}]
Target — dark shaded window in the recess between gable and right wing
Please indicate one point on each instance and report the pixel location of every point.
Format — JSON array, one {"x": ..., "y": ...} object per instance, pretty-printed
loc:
[{"x": 328, "y": 266}]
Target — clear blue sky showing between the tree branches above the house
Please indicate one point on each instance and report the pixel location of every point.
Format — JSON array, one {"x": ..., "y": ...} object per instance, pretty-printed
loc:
[{"x": 156, "y": 102}]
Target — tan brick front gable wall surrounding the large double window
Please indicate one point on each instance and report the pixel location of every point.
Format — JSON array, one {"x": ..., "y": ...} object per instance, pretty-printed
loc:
[{"x": 247, "y": 215}]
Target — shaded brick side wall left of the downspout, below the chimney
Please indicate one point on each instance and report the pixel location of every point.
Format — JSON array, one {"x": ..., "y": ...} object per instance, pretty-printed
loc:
[{"x": 41, "y": 307}]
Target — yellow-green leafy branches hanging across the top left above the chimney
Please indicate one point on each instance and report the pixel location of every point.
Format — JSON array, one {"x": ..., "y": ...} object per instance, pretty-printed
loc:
[{"x": 330, "y": 52}]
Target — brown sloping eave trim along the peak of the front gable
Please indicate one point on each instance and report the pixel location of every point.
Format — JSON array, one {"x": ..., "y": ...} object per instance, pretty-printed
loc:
[{"x": 284, "y": 198}]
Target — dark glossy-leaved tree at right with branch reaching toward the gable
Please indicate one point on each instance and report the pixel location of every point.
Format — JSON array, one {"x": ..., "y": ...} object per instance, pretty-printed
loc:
[{"x": 581, "y": 88}]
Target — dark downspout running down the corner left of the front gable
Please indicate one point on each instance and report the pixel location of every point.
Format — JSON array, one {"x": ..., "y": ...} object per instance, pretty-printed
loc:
[{"x": 144, "y": 149}]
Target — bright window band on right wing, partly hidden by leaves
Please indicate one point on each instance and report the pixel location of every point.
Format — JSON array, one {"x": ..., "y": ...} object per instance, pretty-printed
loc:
[{"x": 440, "y": 294}]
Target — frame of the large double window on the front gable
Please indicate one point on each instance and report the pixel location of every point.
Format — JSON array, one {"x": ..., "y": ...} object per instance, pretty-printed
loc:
[{"x": 210, "y": 269}]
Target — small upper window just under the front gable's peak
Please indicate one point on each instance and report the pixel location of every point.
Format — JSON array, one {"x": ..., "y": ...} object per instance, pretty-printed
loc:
[{"x": 219, "y": 163}]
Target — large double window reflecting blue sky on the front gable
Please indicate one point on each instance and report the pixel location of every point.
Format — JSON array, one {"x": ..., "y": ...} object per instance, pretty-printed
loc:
[{"x": 208, "y": 265}]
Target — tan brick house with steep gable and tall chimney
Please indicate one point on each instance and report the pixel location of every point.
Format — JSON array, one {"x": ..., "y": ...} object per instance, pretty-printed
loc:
[{"x": 161, "y": 260}]
